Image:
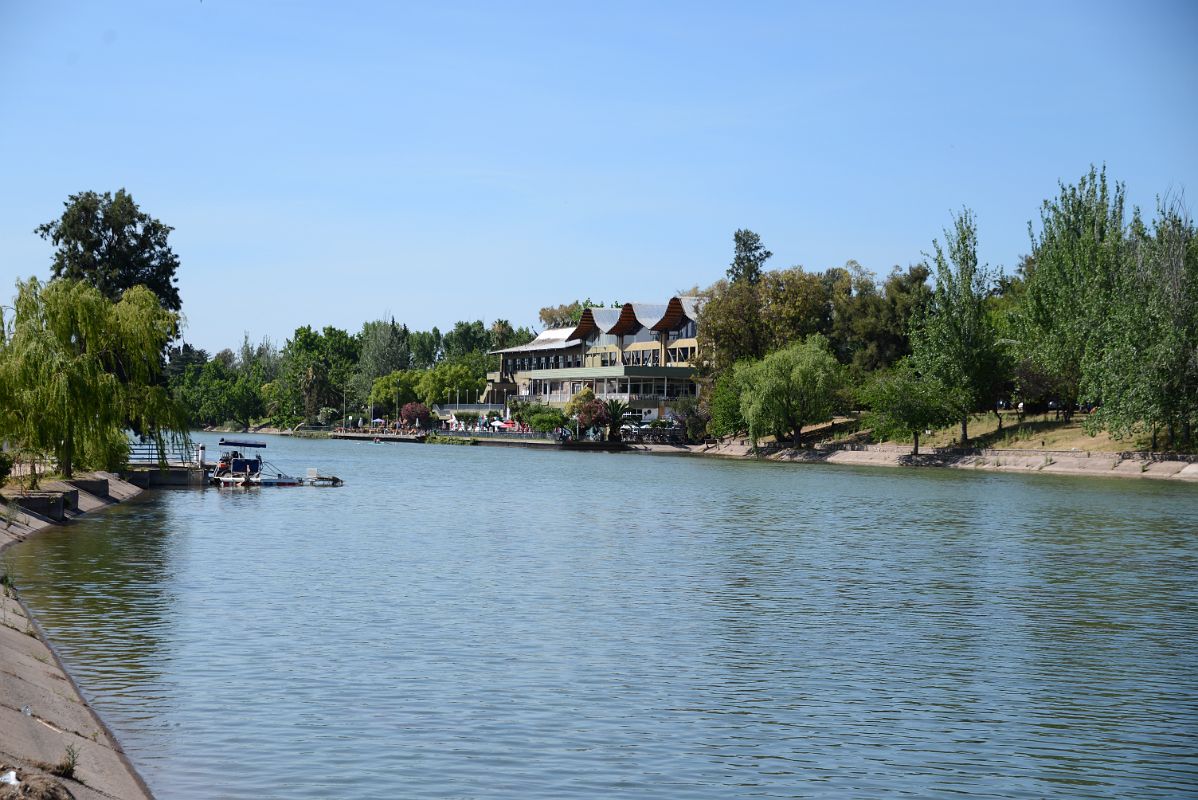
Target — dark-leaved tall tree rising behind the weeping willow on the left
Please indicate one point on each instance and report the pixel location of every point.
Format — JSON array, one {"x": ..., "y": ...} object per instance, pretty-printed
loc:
[{"x": 111, "y": 244}]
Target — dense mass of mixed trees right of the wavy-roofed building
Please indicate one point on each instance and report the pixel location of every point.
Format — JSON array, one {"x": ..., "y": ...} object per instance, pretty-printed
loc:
[{"x": 1102, "y": 314}]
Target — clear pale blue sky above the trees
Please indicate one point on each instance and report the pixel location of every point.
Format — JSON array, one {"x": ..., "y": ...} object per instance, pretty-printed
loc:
[{"x": 330, "y": 163}]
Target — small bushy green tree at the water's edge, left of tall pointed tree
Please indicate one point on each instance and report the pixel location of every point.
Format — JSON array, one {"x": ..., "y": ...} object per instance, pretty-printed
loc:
[{"x": 904, "y": 403}]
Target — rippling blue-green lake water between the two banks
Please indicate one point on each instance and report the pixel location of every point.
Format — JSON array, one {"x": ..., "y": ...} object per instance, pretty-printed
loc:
[{"x": 475, "y": 622}]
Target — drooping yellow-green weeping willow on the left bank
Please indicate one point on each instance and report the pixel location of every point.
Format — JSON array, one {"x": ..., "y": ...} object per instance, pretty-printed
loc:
[{"x": 77, "y": 372}]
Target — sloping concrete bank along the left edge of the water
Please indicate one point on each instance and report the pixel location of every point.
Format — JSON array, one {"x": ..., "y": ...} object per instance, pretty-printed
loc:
[{"x": 44, "y": 717}]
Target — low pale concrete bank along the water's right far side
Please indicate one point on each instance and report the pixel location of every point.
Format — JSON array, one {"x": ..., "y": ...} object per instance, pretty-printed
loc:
[{"x": 1063, "y": 463}]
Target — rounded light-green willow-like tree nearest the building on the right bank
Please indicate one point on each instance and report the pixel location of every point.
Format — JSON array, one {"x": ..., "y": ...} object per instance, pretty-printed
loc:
[{"x": 790, "y": 389}]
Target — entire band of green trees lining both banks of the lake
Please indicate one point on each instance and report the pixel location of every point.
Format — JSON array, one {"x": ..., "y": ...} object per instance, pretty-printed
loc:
[{"x": 1102, "y": 314}]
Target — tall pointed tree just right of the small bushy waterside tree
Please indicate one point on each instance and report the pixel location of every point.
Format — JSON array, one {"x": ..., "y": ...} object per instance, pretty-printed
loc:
[{"x": 954, "y": 341}]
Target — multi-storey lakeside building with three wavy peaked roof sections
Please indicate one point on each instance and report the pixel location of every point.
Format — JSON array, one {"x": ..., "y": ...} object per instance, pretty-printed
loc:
[{"x": 642, "y": 354}]
